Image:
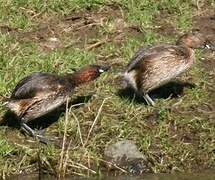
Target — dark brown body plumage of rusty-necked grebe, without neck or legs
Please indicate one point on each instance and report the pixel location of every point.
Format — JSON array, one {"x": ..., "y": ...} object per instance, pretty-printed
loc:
[{"x": 38, "y": 94}]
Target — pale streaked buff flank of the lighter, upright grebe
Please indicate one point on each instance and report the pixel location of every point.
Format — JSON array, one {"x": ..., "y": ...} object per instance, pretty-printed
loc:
[{"x": 162, "y": 66}]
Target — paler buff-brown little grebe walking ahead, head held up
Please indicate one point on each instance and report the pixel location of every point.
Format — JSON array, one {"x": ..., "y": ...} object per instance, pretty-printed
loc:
[{"x": 153, "y": 67}]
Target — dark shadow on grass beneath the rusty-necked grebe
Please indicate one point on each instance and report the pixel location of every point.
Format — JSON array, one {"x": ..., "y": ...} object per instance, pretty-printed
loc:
[{"x": 11, "y": 120}]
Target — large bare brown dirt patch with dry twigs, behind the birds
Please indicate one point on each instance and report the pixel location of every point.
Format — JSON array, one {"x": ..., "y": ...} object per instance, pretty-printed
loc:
[{"x": 83, "y": 29}]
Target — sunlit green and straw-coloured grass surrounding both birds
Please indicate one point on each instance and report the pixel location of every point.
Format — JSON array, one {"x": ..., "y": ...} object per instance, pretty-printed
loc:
[{"x": 175, "y": 135}]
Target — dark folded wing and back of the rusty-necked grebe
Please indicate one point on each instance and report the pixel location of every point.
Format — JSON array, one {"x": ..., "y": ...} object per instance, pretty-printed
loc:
[{"x": 37, "y": 83}]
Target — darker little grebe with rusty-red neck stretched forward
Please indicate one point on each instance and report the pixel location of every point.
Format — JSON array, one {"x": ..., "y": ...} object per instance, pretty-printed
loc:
[{"x": 41, "y": 93}]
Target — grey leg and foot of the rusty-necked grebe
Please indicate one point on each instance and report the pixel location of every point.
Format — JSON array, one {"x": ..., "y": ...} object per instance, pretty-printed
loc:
[{"x": 33, "y": 134}]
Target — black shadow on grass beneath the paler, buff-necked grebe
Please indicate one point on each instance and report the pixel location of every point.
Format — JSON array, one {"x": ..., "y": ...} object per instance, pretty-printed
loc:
[{"x": 173, "y": 89}]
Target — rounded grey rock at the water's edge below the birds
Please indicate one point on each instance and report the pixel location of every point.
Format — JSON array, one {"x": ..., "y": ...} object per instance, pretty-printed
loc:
[{"x": 125, "y": 154}]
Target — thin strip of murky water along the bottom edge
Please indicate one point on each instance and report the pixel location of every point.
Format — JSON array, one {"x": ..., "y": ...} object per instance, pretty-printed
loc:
[{"x": 197, "y": 176}]
